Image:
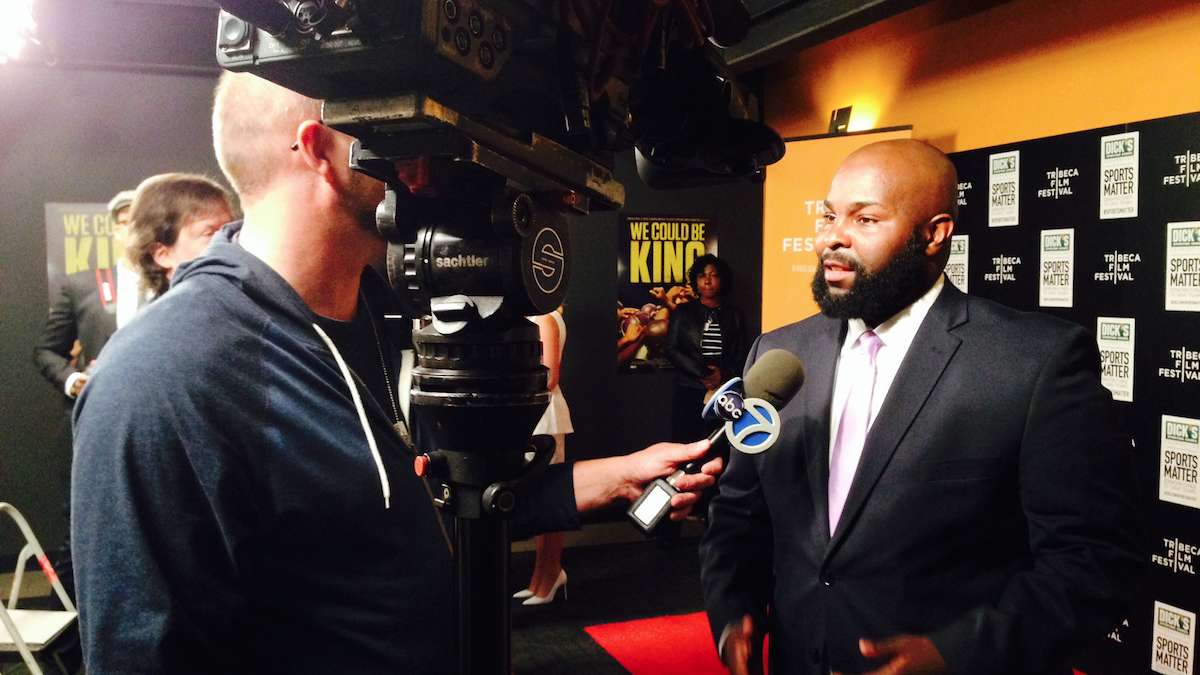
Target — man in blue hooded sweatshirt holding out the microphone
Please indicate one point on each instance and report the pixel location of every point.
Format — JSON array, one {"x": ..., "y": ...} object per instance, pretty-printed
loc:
[{"x": 250, "y": 507}]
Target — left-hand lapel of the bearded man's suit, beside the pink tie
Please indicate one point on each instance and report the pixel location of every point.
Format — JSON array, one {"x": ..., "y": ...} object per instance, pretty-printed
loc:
[{"x": 819, "y": 401}]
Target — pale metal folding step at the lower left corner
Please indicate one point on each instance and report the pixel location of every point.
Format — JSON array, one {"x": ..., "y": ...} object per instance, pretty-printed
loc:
[{"x": 32, "y": 631}]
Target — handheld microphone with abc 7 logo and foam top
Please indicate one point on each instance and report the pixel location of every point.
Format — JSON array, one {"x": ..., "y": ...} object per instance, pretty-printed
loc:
[{"x": 752, "y": 426}]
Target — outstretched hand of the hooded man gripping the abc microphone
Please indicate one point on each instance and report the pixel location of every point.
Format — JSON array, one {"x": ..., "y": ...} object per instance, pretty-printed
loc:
[{"x": 601, "y": 482}]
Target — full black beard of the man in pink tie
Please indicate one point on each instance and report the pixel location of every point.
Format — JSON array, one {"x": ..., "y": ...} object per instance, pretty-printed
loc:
[{"x": 878, "y": 296}]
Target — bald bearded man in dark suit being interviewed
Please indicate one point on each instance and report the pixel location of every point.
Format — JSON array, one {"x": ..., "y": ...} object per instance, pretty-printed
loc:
[{"x": 950, "y": 493}]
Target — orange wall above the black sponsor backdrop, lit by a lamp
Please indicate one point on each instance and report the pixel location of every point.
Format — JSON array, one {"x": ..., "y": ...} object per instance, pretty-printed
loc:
[{"x": 1018, "y": 70}]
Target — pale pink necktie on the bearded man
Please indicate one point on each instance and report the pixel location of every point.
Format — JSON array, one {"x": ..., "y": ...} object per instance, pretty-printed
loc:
[{"x": 856, "y": 420}]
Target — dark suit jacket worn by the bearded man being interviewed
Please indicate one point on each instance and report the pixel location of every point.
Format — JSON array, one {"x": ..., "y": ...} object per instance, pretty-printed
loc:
[{"x": 992, "y": 510}]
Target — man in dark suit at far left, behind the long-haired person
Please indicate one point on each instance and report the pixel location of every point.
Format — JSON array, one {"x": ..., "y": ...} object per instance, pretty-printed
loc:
[{"x": 85, "y": 310}]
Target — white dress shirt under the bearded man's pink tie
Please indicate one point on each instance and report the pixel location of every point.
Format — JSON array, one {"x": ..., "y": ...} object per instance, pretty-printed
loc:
[{"x": 897, "y": 336}]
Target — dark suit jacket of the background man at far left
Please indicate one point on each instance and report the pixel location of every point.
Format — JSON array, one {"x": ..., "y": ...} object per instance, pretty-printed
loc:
[{"x": 77, "y": 314}]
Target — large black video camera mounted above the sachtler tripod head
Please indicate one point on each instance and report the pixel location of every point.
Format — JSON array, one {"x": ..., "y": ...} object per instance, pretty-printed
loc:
[{"x": 587, "y": 77}]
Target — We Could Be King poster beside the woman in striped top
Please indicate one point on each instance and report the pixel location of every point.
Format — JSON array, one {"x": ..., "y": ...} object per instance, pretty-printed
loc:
[{"x": 653, "y": 258}]
